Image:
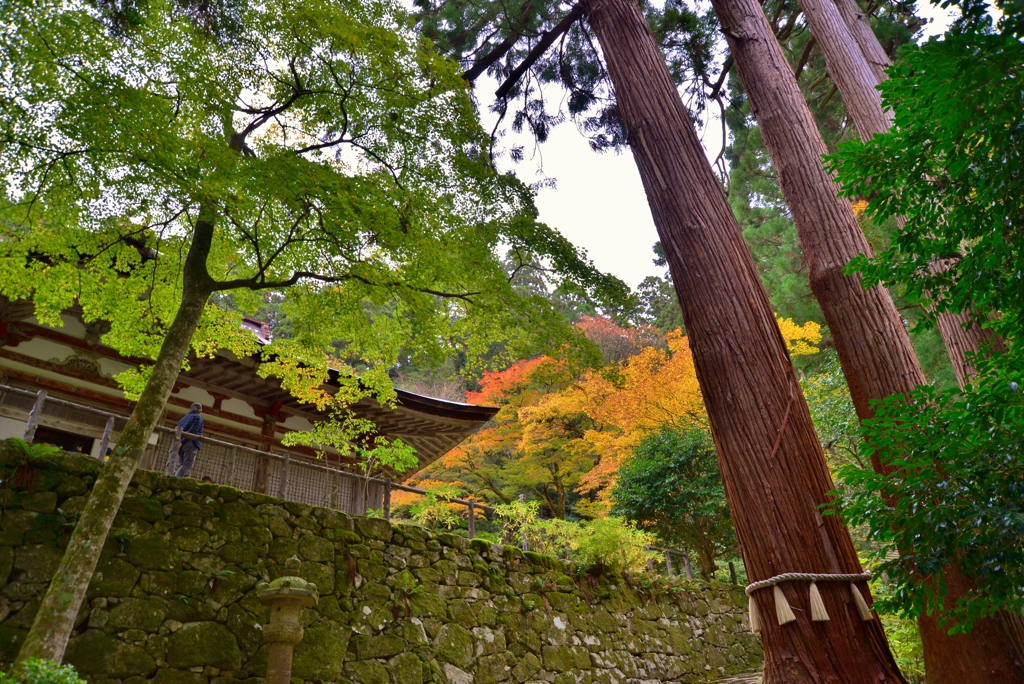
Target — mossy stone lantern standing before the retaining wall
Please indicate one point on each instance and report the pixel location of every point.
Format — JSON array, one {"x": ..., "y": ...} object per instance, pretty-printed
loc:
[{"x": 287, "y": 596}]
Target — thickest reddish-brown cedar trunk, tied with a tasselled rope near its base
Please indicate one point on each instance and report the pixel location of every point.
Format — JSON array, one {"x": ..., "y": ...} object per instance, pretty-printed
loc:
[{"x": 773, "y": 466}]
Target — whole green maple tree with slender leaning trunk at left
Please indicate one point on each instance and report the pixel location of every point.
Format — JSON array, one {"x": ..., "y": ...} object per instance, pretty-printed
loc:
[{"x": 158, "y": 153}]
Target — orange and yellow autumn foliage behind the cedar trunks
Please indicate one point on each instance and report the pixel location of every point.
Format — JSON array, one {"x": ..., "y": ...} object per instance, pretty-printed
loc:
[{"x": 557, "y": 434}]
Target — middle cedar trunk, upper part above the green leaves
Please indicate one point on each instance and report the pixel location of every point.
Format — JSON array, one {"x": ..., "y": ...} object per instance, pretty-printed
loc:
[{"x": 873, "y": 345}]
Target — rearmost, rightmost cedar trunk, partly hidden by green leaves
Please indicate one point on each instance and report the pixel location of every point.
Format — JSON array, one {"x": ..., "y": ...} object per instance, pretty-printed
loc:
[{"x": 857, "y": 63}]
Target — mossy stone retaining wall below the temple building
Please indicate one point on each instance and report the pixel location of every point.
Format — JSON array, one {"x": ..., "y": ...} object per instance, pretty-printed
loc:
[{"x": 174, "y": 598}]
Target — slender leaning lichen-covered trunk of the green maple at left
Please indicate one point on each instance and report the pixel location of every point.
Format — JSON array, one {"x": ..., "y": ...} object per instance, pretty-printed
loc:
[{"x": 56, "y": 618}]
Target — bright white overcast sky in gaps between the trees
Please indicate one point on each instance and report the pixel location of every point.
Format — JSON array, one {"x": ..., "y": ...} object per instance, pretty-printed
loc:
[{"x": 599, "y": 202}]
